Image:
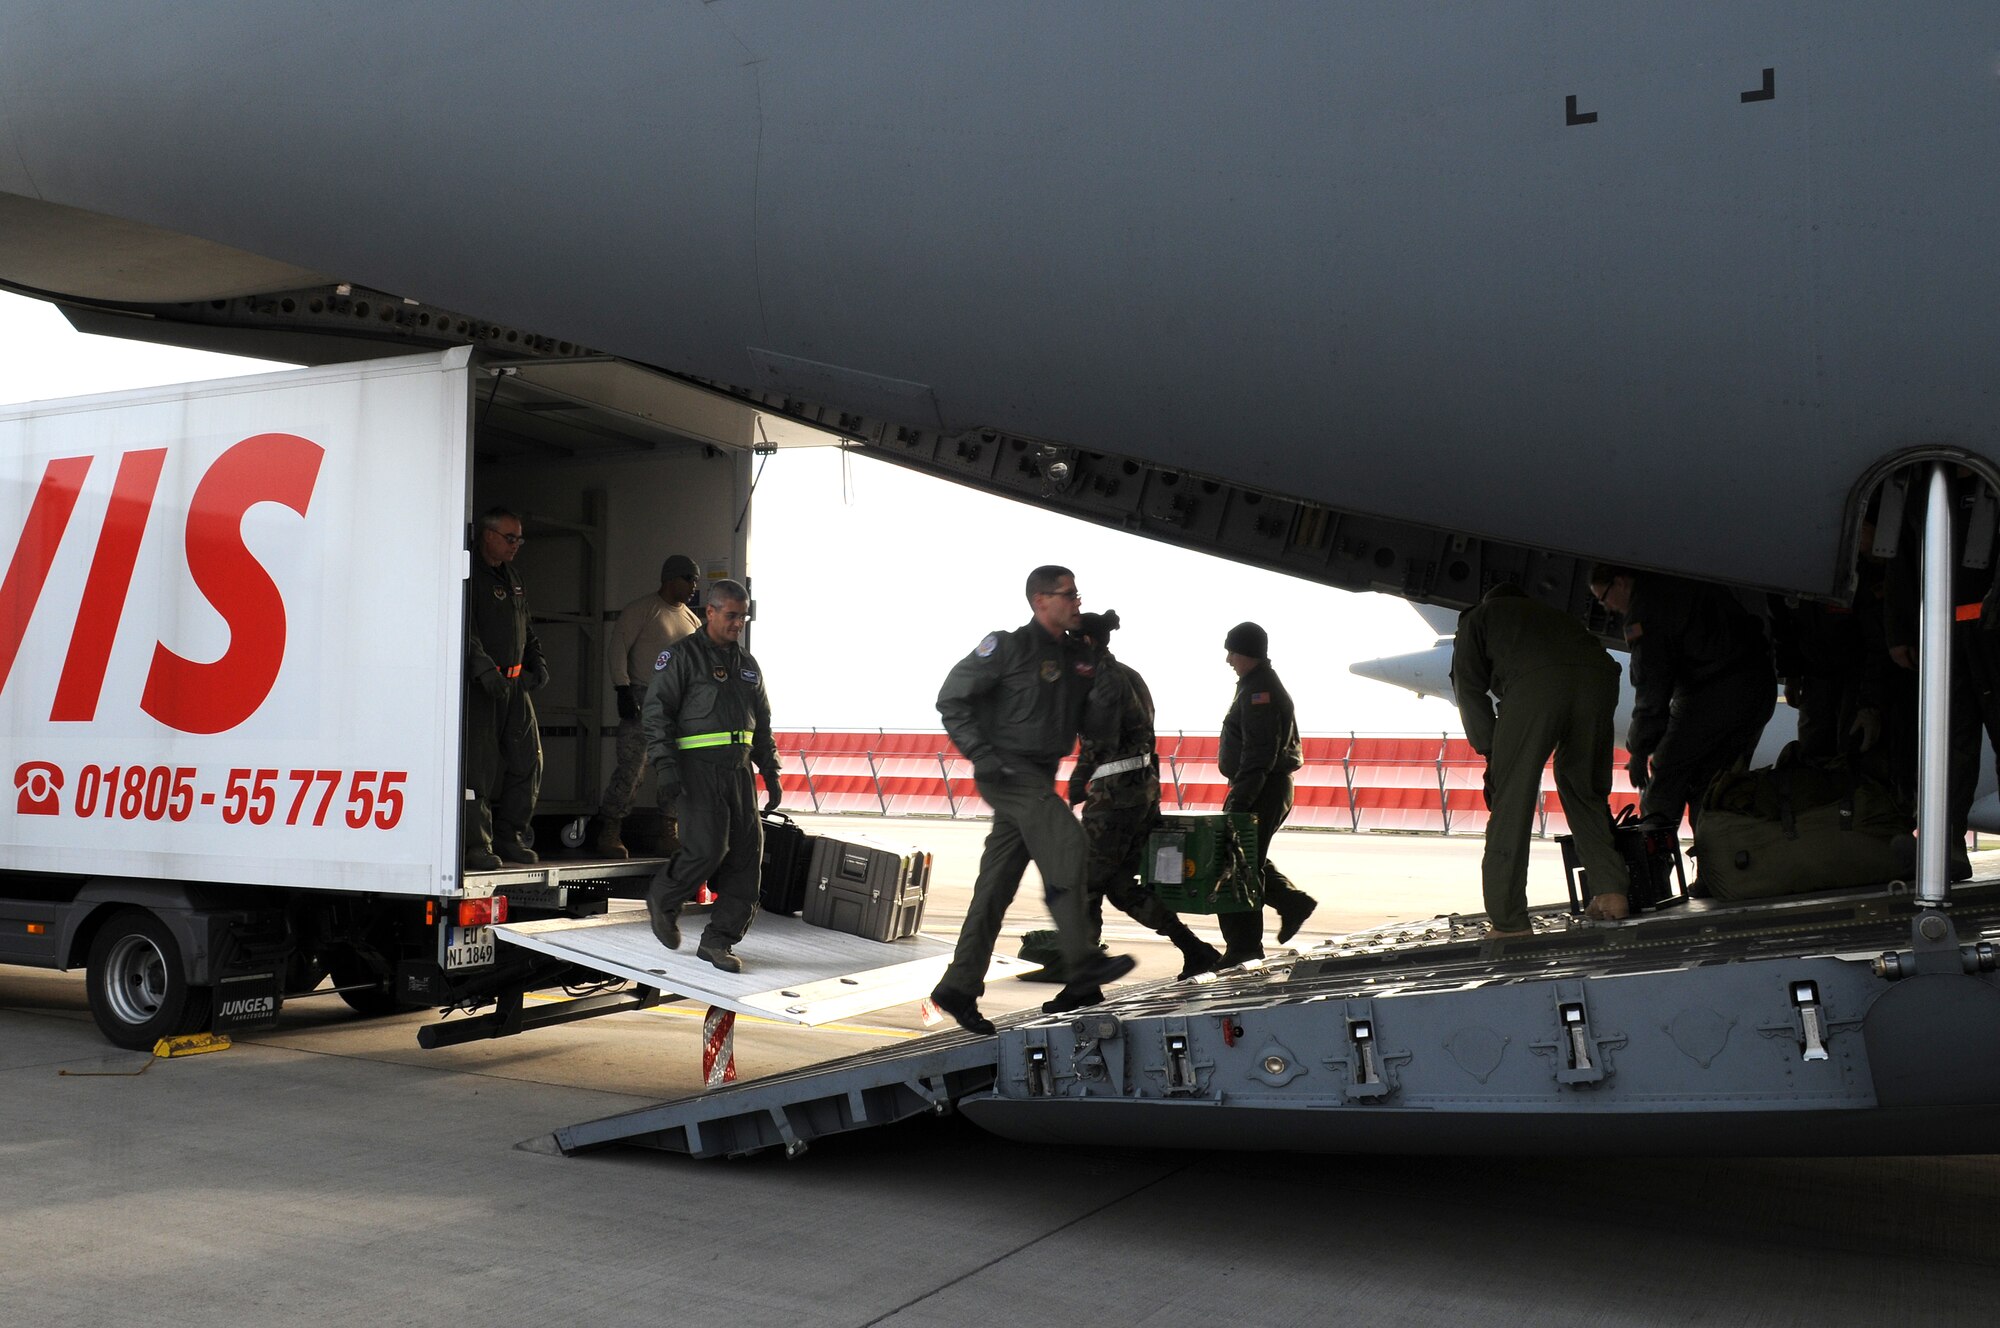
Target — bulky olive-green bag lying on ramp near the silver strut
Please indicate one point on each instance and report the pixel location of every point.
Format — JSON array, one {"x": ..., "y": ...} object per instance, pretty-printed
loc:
[{"x": 1799, "y": 827}]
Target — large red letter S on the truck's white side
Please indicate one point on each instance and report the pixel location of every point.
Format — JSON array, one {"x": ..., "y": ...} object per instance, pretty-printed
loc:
[{"x": 209, "y": 699}]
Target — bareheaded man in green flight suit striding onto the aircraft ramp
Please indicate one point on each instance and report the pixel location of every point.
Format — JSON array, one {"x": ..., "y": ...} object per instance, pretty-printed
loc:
[{"x": 1013, "y": 709}]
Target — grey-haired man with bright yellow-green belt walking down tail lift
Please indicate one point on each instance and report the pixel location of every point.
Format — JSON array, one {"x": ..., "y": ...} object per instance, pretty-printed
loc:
[{"x": 707, "y": 725}]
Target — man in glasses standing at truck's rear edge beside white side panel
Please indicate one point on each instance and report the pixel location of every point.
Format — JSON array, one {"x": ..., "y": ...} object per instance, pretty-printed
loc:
[{"x": 503, "y": 667}]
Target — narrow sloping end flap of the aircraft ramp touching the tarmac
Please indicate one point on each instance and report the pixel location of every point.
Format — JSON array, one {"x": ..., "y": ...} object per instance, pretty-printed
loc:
[{"x": 791, "y": 1111}]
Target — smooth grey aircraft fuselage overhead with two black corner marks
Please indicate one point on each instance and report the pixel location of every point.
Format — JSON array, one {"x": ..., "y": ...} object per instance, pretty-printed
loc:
[{"x": 1589, "y": 281}]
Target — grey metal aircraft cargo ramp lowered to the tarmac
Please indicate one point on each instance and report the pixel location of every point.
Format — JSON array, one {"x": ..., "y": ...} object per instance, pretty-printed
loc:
[{"x": 1831, "y": 1025}]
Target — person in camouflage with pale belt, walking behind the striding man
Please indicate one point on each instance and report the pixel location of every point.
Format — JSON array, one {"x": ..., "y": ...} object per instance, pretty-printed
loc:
[{"x": 1119, "y": 783}]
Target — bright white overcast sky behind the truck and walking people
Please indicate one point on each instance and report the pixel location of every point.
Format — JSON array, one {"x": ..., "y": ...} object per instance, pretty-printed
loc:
[{"x": 871, "y": 581}]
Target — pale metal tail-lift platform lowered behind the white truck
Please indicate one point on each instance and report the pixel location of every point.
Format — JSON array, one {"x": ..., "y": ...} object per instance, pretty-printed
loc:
[{"x": 793, "y": 973}]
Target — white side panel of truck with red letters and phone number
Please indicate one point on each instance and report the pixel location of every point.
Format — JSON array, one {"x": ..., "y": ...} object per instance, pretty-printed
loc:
[{"x": 231, "y": 641}]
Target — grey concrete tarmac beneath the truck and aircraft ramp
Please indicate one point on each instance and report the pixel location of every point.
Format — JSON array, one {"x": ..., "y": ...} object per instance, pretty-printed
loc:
[{"x": 333, "y": 1173}]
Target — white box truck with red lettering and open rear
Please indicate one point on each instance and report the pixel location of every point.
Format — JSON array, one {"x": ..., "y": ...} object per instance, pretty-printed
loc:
[{"x": 233, "y": 651}]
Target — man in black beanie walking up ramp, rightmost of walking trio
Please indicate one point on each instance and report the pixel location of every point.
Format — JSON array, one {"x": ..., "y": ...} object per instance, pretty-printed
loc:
[{"x": 1259, "y": 755}]
